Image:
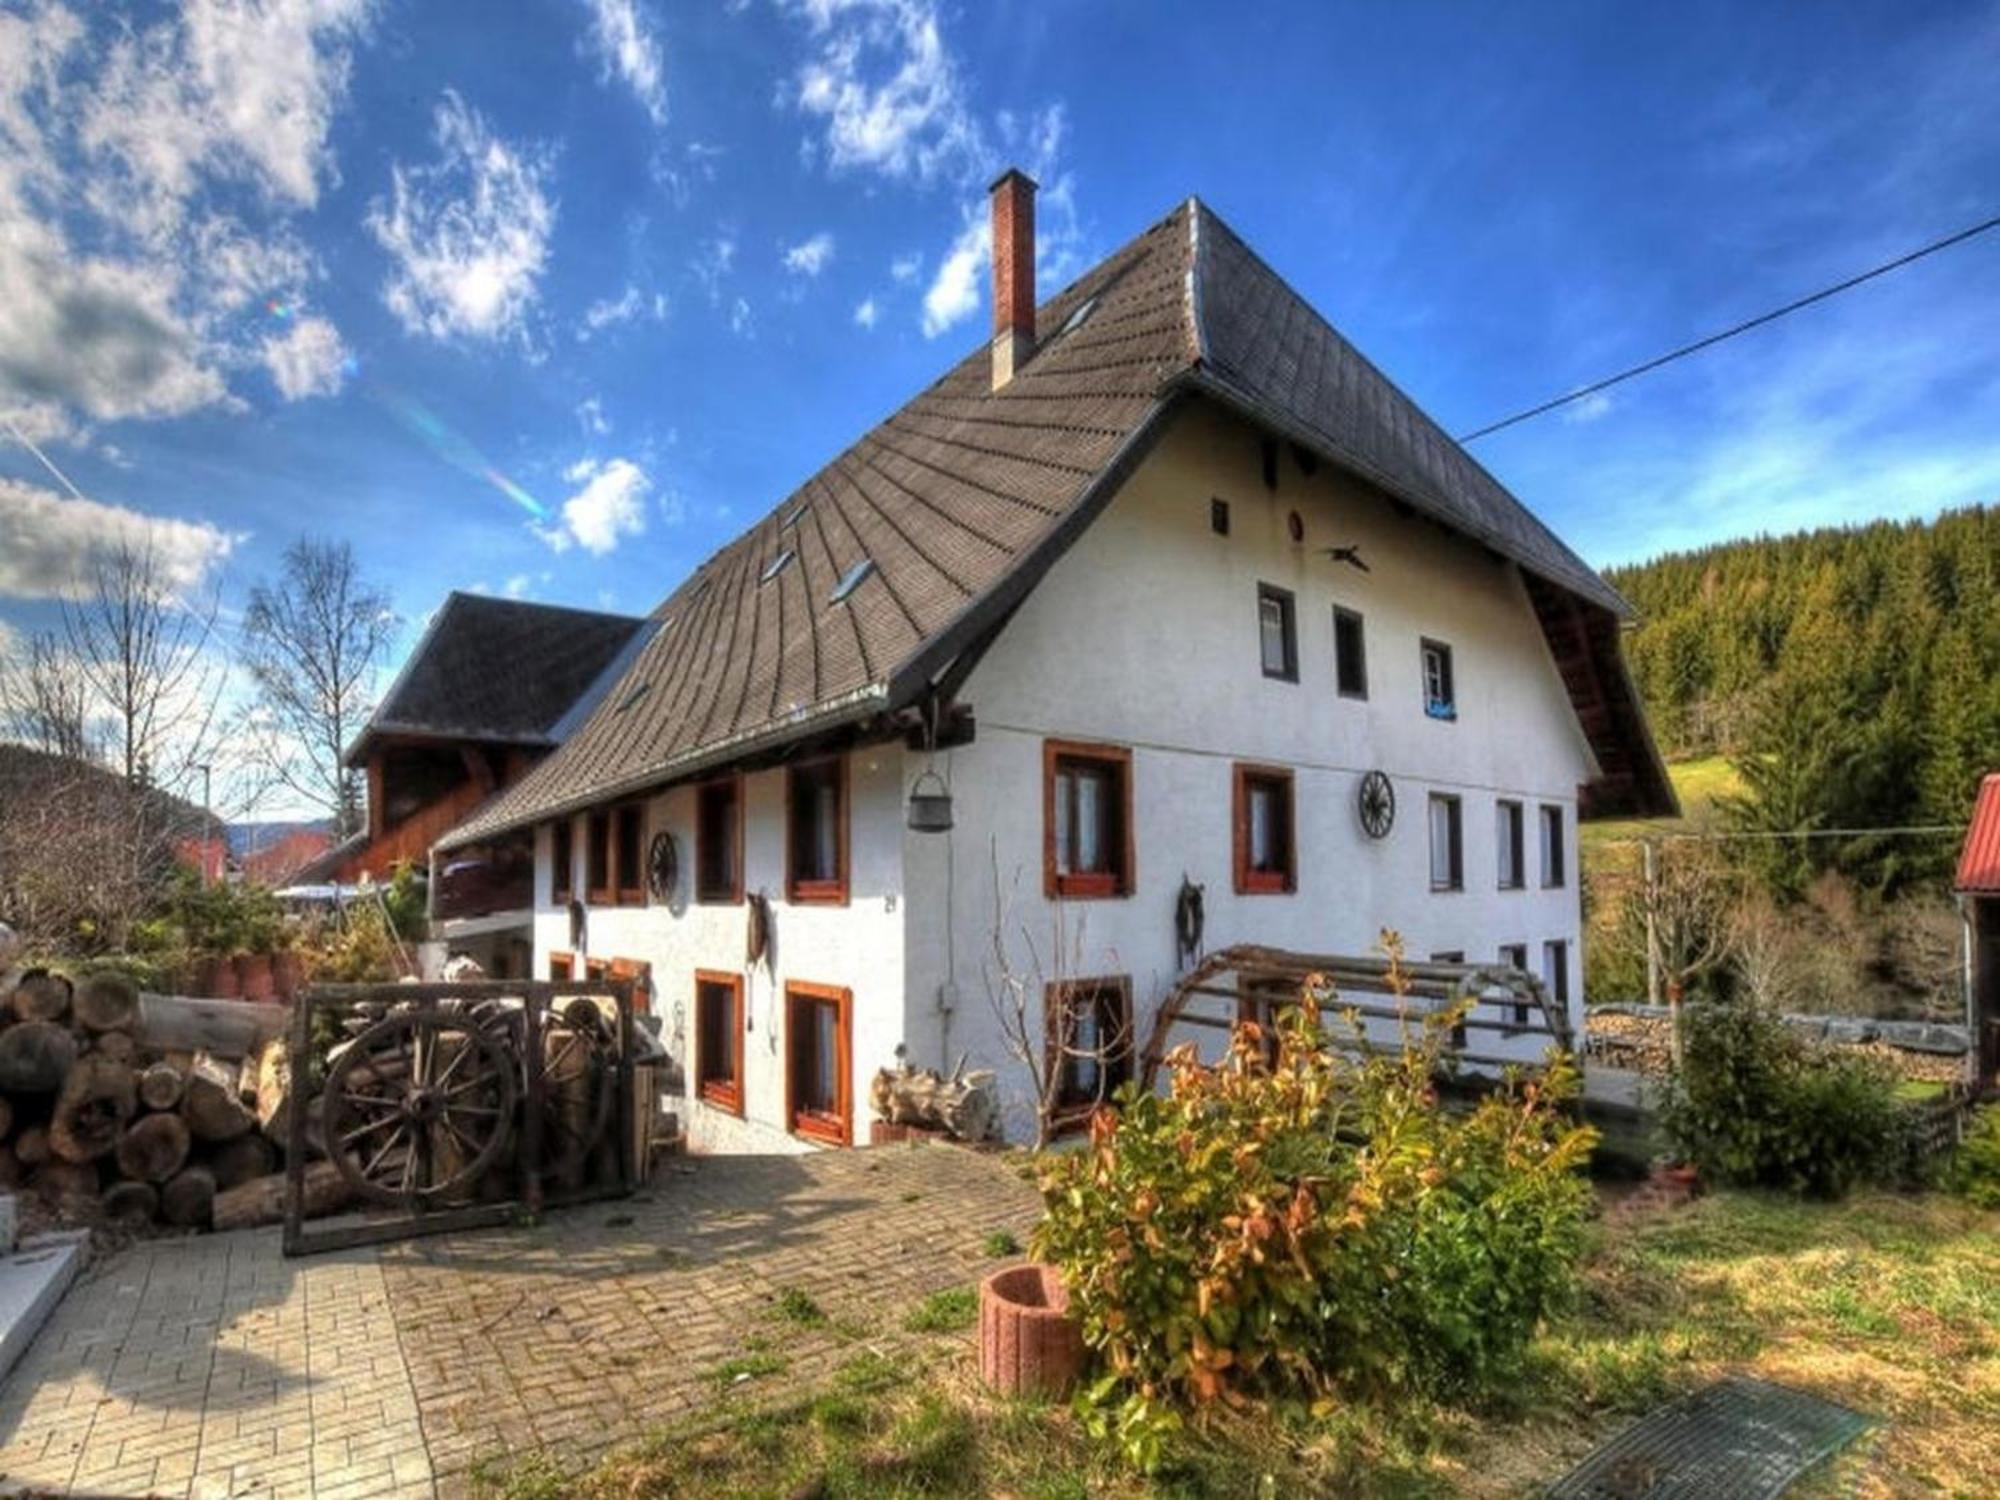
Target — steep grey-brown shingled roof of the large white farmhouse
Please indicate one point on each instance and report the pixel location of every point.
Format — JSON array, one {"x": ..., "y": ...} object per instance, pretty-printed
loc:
[{"x": 965, "y": 497}]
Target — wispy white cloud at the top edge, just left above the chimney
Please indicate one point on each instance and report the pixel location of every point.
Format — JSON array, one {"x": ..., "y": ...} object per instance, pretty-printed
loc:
[{"x": 887, "y": 89}]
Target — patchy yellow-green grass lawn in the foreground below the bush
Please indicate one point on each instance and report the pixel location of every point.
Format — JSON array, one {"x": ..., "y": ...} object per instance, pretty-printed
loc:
[{"x": 1887, "y": 1303}]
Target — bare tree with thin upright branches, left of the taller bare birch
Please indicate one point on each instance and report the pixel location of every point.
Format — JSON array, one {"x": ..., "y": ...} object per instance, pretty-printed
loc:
[{"x": 143, "y": 657}]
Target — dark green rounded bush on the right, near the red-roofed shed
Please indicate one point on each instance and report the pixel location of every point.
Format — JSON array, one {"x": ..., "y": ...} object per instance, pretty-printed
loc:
[{"x": 1757, "y": 1105}]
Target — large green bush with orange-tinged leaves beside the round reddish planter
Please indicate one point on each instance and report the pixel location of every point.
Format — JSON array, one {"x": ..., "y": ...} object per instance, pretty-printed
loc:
[{"x": 1307, "y": 1223}]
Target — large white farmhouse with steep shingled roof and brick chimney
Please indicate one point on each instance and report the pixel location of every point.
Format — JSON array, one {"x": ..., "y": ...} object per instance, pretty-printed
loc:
[{"x": 1149, "y": 589}]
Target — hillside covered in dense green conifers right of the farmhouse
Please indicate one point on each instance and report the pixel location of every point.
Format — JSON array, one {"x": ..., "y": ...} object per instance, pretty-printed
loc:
[{"x": 1855, "y": 673}]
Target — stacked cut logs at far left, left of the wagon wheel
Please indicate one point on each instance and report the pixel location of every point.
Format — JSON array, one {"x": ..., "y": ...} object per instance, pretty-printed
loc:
[{"x": 111, "y": 1125}]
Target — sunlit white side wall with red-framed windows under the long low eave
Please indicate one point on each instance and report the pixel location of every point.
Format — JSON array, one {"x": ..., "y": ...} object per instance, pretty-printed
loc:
[{"x": 857, "y": 945}]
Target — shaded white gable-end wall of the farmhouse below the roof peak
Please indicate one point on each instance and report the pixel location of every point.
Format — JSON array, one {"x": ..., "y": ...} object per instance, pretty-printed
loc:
[{"x": 1147, "y": 635}]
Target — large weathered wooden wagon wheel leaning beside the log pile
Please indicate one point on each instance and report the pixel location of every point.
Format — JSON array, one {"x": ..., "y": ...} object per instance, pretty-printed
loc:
[{"x": 419, "y": 1107}]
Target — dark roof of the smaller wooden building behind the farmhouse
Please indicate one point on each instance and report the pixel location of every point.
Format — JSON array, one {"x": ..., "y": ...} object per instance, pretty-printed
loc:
[{"x": 499, "y": 671}]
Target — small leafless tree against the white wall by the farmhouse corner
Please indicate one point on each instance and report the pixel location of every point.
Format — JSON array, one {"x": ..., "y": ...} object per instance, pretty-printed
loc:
[{"x": 1067, "y": 1055}]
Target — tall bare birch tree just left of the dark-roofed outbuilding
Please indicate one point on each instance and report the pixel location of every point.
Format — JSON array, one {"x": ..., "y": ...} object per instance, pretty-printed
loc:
[{"x": 313, "y": 645}]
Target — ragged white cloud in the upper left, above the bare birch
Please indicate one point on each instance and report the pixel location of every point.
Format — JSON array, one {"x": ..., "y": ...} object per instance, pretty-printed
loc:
[{"x": 469, "y": 233}]
